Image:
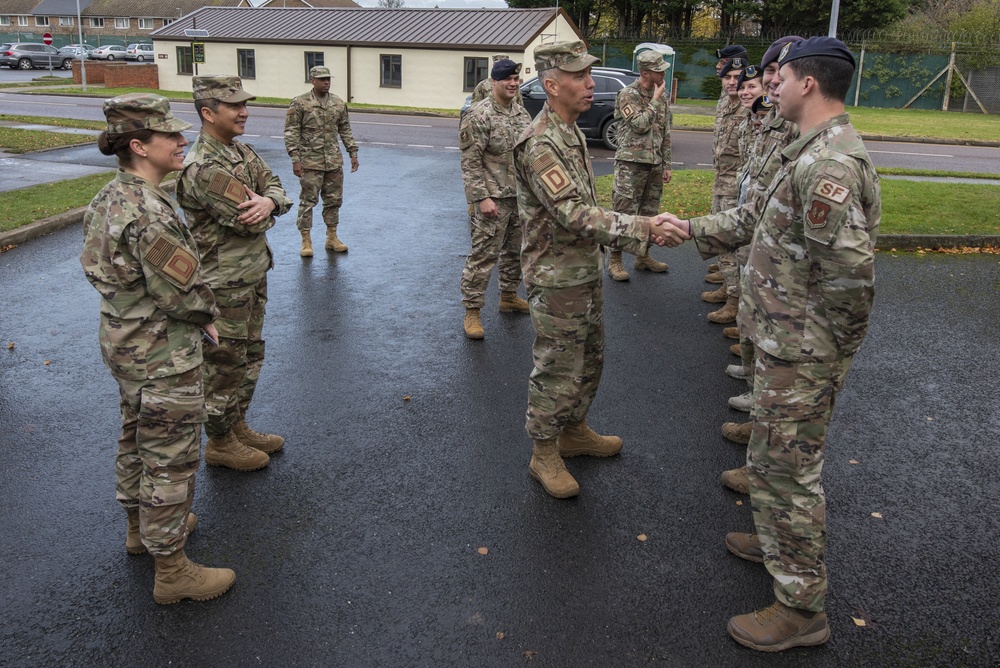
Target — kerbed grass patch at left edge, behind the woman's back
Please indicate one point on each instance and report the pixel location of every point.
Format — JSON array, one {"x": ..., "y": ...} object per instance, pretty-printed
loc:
[{"x": 26, "y": 205}]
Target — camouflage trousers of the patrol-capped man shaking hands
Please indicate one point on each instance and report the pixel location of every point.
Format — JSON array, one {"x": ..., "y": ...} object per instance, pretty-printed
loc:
[{"x": 568, "y": 354}]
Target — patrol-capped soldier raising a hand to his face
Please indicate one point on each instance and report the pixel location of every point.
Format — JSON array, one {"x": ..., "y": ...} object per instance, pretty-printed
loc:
[{"x": 642, "y": 161}]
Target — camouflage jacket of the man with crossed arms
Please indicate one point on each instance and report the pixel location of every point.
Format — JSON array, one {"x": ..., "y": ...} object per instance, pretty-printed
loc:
[{"x": 209, "y": 190}]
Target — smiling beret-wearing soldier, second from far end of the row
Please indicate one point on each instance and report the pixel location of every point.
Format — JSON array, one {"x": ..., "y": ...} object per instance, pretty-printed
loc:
[{"x": 725, "y": 189}]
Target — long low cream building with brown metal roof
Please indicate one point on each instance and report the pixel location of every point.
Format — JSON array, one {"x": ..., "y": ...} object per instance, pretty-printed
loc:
[{"x": 428, "y": 58}]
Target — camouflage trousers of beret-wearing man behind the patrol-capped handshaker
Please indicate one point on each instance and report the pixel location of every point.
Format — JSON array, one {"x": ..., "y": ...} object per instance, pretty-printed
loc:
[{"x": 492, "y": 238}]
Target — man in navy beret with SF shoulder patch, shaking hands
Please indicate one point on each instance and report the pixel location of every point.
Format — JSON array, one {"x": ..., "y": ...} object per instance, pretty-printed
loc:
[{"x": 807, "y": 295}]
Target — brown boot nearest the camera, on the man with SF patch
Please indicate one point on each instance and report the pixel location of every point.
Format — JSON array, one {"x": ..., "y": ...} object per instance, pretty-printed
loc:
[{"x": 778, "y": 627}]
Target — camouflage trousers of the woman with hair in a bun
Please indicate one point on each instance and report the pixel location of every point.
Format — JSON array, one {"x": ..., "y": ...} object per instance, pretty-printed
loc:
[{"x": 159, "y": 451}]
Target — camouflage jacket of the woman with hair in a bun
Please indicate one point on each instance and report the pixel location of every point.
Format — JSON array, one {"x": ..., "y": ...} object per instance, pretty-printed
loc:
[{"x": 143, "y": 260}]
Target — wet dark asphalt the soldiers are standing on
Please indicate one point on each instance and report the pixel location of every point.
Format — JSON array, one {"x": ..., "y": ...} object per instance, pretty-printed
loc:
[{"x": 358, "y": 545}]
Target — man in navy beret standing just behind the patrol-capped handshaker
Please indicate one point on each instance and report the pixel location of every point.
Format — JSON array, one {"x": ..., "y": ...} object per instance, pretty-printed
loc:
[{"x": 487, "y": 137}]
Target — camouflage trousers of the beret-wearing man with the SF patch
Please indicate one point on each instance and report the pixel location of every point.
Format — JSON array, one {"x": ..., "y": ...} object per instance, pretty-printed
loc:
[{"x": 792, "y": 405}]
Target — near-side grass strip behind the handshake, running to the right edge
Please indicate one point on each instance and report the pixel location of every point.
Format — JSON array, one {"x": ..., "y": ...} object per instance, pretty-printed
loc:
[{"x": 908, "y": 207}]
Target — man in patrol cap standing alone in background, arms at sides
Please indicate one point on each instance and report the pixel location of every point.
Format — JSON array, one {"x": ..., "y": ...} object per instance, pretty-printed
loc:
[{"x": 312, "y": 124}]
